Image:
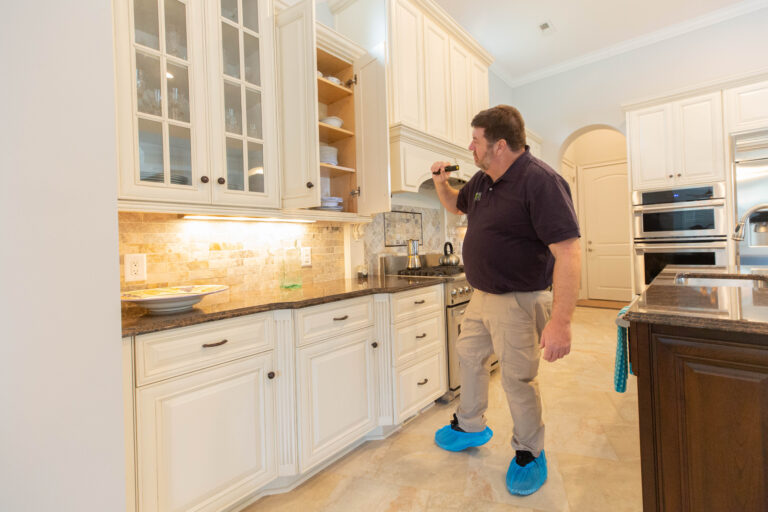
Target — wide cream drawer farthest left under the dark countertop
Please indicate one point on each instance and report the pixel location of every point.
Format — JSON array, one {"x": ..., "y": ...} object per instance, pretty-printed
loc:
[{"x": 165, "y": 354}]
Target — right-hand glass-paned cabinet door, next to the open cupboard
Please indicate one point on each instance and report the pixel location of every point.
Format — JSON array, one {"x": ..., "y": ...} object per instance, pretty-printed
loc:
[{"x": 242, "y": 114}]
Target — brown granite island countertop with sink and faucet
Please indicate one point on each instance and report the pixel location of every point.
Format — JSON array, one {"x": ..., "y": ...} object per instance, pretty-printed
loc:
[{"x": 734, "y": 305}]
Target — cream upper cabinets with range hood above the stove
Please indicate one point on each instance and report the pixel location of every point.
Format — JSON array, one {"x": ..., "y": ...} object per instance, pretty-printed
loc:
[{"x": 430, "y": 115}]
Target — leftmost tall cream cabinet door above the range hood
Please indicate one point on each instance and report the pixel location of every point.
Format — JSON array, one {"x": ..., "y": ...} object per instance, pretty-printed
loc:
[{"x": 407, "y": 69}]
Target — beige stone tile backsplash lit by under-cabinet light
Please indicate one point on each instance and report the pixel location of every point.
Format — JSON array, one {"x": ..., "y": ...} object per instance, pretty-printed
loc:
[{"x": 243, "y": 255}]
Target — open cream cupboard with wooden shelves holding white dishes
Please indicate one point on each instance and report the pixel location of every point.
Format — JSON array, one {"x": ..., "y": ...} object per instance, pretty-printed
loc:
[{"x": 303, "y": 49}]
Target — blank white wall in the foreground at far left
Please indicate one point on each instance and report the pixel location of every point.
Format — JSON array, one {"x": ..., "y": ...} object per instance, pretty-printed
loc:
[{"x": 61, "y": 426}]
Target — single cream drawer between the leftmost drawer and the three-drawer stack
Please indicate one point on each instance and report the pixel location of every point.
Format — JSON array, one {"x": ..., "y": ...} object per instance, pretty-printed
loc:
[{"x": 327, "y": 320}]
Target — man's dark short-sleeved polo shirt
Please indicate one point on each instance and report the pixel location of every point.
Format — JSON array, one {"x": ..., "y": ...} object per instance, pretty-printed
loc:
[{"x": 511, "y": 223}]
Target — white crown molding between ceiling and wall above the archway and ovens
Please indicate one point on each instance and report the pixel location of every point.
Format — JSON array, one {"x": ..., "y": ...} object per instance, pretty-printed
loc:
[{"x": 678, "y": 29}]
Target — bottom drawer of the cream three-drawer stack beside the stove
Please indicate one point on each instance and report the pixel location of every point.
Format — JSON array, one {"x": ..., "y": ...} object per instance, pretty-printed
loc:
[{"x": 420, "y": 384}]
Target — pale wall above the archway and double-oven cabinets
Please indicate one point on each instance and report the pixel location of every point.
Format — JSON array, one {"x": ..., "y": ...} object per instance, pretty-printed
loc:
[{"x": 557, "y": 106}]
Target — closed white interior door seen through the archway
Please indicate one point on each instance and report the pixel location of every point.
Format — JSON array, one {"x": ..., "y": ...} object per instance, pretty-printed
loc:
[{"x": 605, "y": 197}]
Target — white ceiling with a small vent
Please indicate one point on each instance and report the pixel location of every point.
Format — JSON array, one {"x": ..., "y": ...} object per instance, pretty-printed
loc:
[{"x": 584, "y": 31}]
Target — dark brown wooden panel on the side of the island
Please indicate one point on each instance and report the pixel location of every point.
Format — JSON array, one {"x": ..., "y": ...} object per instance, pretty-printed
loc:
[{"x": 707, "y": 389}]
